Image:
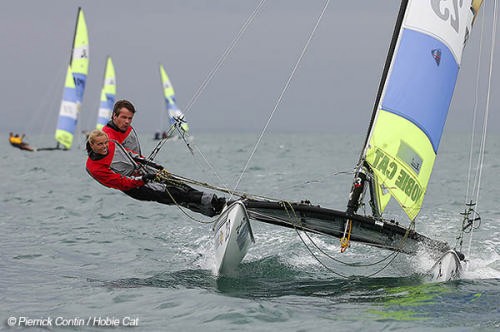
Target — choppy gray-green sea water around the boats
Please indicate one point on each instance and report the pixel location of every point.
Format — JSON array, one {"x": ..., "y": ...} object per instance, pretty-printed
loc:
[{"x": 75, "y": 255}]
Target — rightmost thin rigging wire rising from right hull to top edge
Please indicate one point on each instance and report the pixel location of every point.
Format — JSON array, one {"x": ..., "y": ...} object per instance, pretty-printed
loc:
[{"x": 486, "y": 113}]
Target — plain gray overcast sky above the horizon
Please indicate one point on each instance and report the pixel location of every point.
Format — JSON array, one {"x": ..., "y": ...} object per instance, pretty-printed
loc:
[{"x": 333, "y": 89}]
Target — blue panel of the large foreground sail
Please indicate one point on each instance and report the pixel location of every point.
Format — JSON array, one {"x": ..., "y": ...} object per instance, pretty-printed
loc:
[{"x": 421, "y": 84}]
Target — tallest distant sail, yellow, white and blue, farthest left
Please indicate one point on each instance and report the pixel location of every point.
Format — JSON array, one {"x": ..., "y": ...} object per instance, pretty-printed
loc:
[{"x": 74, "y": 86}]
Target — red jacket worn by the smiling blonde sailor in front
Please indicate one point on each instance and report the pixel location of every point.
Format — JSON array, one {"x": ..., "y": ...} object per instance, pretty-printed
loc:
[{"x": 101, "y": 169}]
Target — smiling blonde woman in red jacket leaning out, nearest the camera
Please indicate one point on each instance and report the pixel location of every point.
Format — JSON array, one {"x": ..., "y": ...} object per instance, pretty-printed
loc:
[{"x": 115, "y": 167}]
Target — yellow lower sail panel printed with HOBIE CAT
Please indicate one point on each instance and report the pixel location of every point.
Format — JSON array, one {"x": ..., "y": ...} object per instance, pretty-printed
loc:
[{"x": 401, "y": 158}]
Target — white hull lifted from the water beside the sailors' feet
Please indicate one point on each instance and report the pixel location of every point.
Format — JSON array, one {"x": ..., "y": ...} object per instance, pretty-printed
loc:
[{"x": 232, "y": 237}]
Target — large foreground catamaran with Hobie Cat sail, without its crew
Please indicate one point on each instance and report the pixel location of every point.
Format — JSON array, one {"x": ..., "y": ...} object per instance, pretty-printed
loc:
[{"x": 399, "y": 151}]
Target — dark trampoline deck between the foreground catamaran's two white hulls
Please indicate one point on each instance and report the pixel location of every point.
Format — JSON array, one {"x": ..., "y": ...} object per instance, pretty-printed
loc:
[{"x": 366, "y": 230}]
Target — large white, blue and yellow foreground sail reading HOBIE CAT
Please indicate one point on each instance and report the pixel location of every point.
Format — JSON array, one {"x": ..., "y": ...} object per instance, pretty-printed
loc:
[{"x": 414, "y": 101}]
